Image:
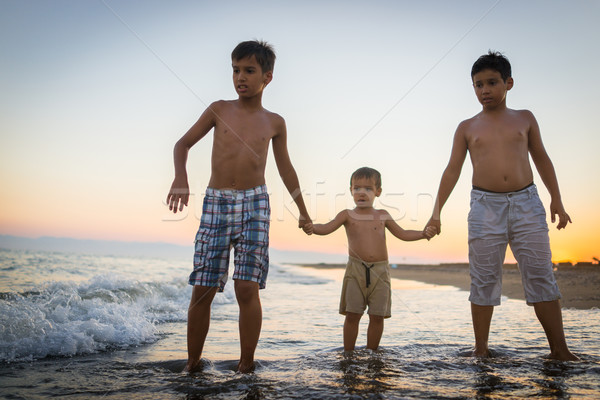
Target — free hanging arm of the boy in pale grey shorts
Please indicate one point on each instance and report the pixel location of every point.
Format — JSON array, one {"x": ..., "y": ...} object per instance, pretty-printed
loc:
[{"x": 546, "y": 170}]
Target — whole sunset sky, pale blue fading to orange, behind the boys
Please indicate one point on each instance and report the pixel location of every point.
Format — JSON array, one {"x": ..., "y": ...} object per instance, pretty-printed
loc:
[{"x": 94, "y": 94}]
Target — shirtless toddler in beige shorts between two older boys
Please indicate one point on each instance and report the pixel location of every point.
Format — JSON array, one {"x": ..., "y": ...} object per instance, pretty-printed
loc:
[{"x": 367, "y": 277}]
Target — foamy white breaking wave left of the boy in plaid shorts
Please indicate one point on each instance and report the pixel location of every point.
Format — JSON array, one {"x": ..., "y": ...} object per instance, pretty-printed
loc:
[{"x": 68, "y": 318}]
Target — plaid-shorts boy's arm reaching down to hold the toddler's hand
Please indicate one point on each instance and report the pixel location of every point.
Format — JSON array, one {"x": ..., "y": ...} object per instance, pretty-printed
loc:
[{"x": 287, "y": 171}]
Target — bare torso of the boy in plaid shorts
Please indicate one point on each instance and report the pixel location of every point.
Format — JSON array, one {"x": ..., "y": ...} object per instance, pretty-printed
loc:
[{"x": 240, "y": 145}]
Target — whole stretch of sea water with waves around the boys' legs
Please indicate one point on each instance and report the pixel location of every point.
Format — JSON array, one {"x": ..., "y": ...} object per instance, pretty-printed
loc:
[{"x": 79, "y": 326}]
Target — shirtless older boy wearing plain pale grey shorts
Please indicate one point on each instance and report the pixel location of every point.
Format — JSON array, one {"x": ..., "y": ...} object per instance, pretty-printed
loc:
[{"x": 505, "y": 207}]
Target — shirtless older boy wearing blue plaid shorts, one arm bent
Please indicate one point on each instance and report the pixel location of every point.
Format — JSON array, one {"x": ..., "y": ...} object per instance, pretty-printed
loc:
[{"x": 236, "y": 210}]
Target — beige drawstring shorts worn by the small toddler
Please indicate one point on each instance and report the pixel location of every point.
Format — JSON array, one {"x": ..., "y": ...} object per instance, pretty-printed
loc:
[{"x": 356, "y": 296}]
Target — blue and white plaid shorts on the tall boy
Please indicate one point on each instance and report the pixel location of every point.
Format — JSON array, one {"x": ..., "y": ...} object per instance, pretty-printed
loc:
[{"x": 238, "y": 219}]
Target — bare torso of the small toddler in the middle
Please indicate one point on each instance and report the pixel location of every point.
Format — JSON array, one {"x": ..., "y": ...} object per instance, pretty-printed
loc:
[{"x": 365, "y": 230}]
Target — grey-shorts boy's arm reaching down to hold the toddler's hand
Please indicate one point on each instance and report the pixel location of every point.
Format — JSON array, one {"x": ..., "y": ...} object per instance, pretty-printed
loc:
[{"x": 449, "y": 176}]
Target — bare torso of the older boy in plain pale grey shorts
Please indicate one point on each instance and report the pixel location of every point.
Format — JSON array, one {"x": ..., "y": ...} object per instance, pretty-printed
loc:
[{"x": 498, "y": 144}]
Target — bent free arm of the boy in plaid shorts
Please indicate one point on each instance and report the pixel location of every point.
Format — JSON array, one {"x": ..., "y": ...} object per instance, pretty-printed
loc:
[{"x": 179, "y": 193}]
